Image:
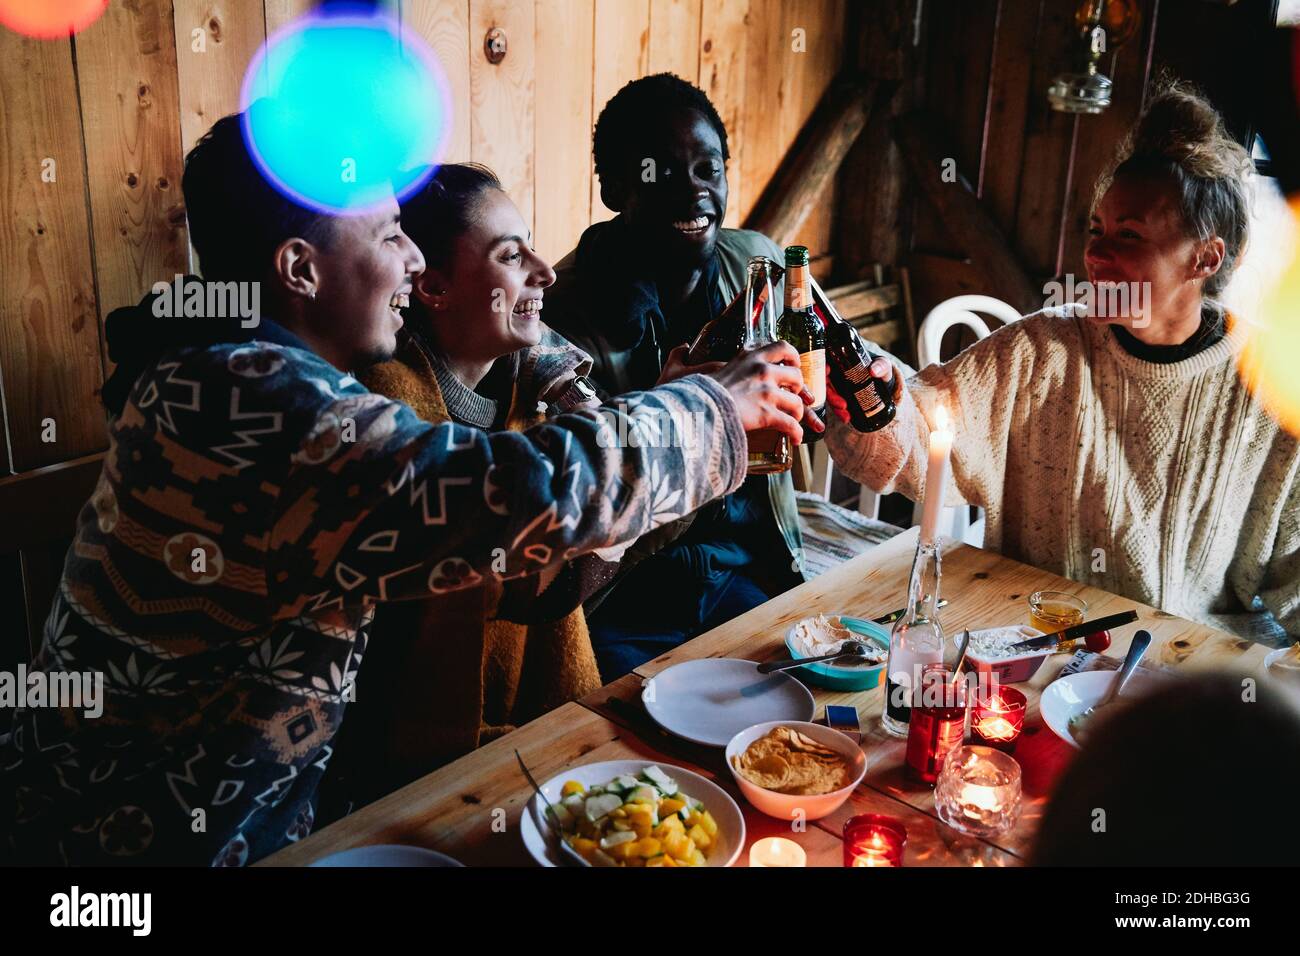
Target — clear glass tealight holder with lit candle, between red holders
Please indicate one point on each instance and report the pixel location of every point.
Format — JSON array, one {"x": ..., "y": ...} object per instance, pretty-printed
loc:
[{"x": 980, "y": 791}]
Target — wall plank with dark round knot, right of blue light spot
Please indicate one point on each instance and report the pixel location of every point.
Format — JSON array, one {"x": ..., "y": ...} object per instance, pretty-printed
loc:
[{"x": 502, "y": 98}]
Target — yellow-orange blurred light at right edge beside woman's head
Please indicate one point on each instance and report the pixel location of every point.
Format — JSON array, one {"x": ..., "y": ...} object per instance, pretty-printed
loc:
[{"x": 1272, "y": 353}]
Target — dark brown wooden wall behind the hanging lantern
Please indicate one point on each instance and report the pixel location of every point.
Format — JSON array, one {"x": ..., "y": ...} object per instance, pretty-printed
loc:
[{"x": 983, "y": 68}]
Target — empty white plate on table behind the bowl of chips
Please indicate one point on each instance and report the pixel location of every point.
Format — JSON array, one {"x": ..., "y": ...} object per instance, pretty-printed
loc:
[{"x": 713, "y": 700}]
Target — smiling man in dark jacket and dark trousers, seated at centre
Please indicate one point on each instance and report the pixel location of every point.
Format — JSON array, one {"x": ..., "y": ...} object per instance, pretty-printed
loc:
[{"x": 635, "y": 289}]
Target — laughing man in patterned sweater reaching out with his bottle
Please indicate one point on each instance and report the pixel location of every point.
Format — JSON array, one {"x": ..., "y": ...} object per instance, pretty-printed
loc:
[{"x": 257, "y": 501}]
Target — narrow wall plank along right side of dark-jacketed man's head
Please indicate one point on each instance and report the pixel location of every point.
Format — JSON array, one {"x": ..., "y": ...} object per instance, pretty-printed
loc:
[{"x": 723, "y": 45}]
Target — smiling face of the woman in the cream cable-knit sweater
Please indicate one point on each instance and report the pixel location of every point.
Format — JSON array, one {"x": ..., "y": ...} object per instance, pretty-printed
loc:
[{"x": 1138, "y": 237}]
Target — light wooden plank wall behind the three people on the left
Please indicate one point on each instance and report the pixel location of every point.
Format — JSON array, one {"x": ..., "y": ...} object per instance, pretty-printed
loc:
[{"x": 94, "y": 132}]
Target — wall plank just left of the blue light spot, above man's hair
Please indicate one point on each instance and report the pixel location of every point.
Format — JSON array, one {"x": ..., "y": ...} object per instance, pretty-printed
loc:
[{"x": 213, "y": 77}]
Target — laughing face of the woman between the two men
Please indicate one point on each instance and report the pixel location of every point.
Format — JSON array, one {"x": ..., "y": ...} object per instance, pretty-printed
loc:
[{"x": 492, "y": 295}]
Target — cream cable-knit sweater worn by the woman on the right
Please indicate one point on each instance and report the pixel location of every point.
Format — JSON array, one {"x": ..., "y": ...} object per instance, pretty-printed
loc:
[{"x": 1163, "y": 483}]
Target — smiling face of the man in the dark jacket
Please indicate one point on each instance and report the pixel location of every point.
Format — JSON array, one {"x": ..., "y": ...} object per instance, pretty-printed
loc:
[{"x": 677, "y": 204}]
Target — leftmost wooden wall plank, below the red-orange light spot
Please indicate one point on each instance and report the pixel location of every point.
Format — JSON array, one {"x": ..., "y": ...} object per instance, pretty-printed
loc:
[{"x": 50, "y": 339}]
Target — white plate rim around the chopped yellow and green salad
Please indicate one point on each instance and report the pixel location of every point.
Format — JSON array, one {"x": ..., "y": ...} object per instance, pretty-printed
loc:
[{"x": 731, "y": 824}]
